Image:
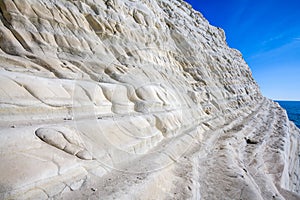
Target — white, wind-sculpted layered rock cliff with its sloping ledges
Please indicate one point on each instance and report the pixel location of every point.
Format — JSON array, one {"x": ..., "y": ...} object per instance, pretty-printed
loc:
[{"x": 134, "y": 100}]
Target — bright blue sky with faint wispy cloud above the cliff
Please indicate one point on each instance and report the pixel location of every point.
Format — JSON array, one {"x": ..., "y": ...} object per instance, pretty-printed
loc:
[{"x": 267, "y": 32}]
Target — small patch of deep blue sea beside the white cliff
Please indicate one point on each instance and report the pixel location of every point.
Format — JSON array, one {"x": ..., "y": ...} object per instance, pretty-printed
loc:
[{"x": 293, "y": 110}]
